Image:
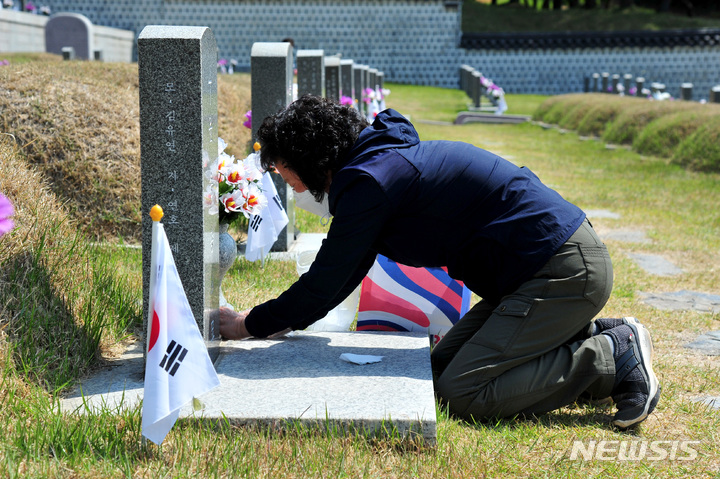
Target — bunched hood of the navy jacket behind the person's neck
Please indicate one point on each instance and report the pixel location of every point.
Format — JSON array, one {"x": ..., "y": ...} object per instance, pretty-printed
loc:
[{"x": 389, "y": 130}]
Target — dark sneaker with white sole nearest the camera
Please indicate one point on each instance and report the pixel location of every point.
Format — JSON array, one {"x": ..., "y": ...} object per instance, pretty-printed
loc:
[{"x": 637, "y": 390}]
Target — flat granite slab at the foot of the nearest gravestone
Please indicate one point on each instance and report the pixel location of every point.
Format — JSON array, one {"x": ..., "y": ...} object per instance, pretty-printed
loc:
[{"x": 298, "y": 378}]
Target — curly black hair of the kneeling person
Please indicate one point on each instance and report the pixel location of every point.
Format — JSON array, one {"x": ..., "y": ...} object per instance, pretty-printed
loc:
[{"x": 310, "y": 137}]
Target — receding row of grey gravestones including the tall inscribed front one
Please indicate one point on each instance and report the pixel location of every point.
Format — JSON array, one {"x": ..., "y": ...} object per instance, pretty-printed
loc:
[{"x": 179, "y": 143}]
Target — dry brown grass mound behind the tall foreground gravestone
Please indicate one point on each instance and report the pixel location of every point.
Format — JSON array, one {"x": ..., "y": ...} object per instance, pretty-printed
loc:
[{"x": 78, "y": 122}]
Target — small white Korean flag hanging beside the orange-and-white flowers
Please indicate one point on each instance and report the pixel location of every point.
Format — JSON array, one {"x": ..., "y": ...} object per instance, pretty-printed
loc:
[{"x": 265, "y": 227}]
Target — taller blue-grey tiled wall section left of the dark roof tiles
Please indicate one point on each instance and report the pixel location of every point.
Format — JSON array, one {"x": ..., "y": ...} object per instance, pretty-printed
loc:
[{"x": 411, "y": 41}]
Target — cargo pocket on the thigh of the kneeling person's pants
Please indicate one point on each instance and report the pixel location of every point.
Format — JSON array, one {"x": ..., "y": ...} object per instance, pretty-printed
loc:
[{"x": 503, "y": 325}]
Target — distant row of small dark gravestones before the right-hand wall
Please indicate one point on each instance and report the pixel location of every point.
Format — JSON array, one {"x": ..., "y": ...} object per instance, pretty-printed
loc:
[{"x": 606, "y": 83}]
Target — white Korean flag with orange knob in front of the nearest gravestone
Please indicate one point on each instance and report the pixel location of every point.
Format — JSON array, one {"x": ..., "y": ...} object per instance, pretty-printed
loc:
[{"x": 178, "y": 366}]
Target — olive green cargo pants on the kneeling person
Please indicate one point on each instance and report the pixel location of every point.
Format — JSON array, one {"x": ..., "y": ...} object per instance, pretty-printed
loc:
[{"x": 532, "y": 352}]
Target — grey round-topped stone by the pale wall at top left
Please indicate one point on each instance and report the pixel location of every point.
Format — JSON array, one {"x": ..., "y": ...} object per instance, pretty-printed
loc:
[{"x": 69, "y": 30}]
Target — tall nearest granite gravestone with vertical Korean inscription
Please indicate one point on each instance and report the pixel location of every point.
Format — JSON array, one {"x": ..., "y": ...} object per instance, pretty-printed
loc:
[{"x": 179, "y": 144}]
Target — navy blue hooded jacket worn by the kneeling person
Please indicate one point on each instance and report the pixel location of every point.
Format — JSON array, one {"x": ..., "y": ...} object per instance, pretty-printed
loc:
[{"x": 430, "y": 203}]
